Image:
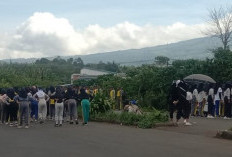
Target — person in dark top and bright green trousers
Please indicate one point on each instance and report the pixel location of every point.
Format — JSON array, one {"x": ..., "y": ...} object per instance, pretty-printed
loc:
[{"x": 85, "y": 103}]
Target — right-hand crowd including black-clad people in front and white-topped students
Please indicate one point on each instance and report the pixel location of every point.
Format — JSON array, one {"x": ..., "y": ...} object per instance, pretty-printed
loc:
[{"x": 202, "y": 99}]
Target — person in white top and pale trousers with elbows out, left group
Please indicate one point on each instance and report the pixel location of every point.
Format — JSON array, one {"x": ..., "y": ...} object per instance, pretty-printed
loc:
[{"x": 42, "y": 98}]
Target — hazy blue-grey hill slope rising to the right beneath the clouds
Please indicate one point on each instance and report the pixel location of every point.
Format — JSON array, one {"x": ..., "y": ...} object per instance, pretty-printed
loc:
[{"x": 198, "y": 48}]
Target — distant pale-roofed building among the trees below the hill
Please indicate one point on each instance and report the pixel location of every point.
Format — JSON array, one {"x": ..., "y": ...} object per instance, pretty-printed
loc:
[{"x": 88, "y": 74}]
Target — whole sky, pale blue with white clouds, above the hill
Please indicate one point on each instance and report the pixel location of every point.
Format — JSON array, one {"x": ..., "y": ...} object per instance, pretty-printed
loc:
[{"x": 42, "y": 28}]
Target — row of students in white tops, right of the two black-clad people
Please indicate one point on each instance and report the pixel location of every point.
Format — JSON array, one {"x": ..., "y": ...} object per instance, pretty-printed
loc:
[{"x": 212, "y": 101}]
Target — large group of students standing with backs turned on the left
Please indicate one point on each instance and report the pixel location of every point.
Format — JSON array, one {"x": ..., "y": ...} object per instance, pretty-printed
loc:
[{"x": 18, "y": 106}]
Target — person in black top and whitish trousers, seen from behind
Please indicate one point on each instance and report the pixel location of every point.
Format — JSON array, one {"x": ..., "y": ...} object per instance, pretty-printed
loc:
[{"x": 59, "y": 107}]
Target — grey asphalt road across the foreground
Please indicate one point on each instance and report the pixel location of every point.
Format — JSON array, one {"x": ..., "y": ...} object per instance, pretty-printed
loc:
[{"x": 107, "y": 140}]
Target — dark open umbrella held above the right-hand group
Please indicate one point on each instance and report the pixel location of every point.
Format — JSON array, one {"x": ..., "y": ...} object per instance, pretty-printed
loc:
[{"x": 199, "y": 78}]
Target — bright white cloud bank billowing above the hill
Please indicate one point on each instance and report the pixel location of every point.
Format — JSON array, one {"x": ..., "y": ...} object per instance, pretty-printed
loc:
[{"x": 44, "y": 35}]
